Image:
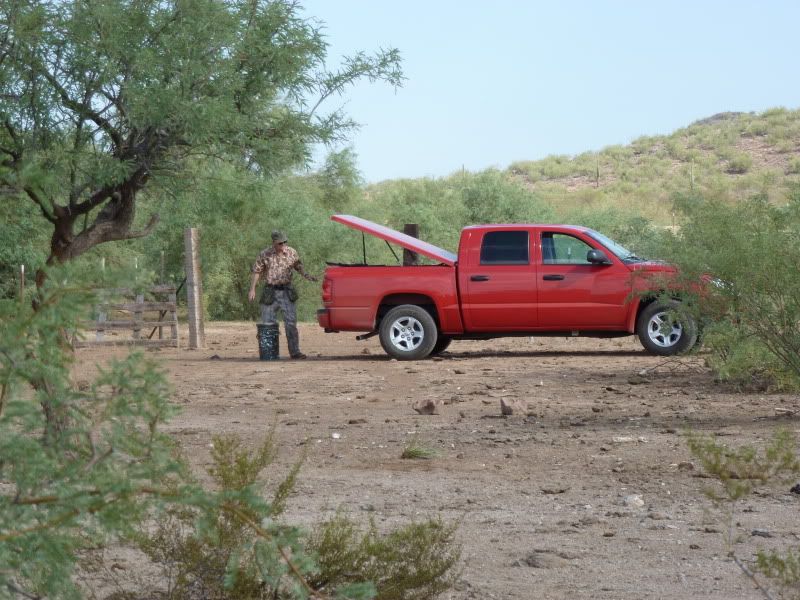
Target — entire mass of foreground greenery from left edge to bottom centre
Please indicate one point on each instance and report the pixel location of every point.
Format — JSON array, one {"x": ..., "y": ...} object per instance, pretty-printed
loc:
[{"x": 108, "y": 476}]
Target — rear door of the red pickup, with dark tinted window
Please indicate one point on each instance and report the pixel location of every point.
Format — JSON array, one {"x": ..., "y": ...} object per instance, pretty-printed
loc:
[{"x": 498, "y": 282}]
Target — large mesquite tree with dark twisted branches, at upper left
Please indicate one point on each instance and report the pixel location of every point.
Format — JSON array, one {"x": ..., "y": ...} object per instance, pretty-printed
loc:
[{"x": 100, "y": 100}]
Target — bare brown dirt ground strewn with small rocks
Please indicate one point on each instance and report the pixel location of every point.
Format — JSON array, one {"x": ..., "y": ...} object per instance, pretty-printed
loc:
[{"x": 593, "y": 494}]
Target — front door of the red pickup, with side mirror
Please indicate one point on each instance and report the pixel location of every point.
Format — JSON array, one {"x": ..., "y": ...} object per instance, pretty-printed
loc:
[{"x": 574, "y": 293}]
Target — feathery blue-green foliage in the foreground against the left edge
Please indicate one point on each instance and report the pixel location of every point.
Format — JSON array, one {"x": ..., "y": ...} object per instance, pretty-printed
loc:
[{"x": 80, "y": 463}]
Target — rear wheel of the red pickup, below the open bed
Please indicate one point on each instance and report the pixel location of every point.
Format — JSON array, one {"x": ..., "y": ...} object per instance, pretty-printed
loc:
[{"x": 408, "y": 332}]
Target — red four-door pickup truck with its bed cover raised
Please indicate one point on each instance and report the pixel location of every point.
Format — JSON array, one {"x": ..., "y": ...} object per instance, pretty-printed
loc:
[{"x": 506, "y": 280}]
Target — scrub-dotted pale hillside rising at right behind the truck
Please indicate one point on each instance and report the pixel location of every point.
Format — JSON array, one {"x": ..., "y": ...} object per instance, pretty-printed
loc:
[{"x": 730, "y": 155}]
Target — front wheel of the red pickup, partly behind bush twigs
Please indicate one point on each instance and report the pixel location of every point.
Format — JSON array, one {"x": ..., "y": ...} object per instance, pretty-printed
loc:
[{"x": 666, "y": 330}]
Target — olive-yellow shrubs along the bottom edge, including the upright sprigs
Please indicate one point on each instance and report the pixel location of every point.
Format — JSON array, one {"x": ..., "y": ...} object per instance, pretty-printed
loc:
[{"x": 220, "y": 559}]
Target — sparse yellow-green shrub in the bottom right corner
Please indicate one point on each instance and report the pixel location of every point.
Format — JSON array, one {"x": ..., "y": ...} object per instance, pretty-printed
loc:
[{"x": 737, "y": 473}]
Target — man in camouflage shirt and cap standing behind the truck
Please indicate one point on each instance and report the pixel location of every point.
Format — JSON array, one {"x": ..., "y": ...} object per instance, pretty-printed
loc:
[{"x": 277, "y": 264}]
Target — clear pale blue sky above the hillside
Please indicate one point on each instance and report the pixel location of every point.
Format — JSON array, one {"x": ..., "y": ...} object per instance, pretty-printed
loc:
[{"x": 495, "y": 81}]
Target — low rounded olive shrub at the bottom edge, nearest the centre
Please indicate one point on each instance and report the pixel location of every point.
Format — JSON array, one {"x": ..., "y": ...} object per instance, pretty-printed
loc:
[{"x": 415, "y": 562}]
